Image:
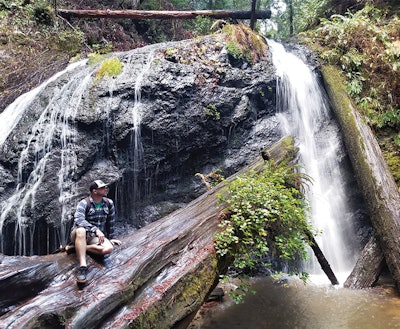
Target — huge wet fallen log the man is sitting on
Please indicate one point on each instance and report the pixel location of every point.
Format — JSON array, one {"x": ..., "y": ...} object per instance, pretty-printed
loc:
[{"x": 158, "y": 278}]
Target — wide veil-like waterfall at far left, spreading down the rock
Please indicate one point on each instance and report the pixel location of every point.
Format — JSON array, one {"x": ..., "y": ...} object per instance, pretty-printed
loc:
[{"x": 52, "y": 123}]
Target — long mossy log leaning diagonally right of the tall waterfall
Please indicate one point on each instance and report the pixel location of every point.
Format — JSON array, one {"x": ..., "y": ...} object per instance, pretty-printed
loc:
[{"x": 372, "y": 172}]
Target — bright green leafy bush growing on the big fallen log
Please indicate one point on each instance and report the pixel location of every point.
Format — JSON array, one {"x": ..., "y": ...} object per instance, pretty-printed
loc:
[{"x": 268, "y": 215}]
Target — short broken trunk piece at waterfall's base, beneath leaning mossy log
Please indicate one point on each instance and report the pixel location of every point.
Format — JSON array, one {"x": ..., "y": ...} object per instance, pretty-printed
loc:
[{"x": 368, "y": 267}]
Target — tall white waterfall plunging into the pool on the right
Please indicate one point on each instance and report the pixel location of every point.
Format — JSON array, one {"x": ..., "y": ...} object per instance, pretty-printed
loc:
[{"x": 305, "y": 114}]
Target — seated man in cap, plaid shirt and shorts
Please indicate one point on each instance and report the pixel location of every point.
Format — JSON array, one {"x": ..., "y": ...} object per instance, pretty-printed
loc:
[{"x": 93, "y": 227}]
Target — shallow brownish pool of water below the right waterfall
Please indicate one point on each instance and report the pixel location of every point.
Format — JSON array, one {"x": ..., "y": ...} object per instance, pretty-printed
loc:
[{"x": 300, "y": 306}]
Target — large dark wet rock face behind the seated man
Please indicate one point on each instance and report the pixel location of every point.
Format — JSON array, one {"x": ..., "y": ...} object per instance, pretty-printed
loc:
[{"x": 194, "y": 114}]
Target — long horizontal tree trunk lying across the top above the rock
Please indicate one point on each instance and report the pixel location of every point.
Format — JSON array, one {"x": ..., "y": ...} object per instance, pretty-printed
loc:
[{"x": 143, "y": 14}]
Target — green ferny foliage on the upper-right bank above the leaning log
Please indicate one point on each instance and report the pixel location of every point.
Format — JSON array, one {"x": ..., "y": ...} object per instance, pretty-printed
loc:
[{"x": 366, "y": 46}]
